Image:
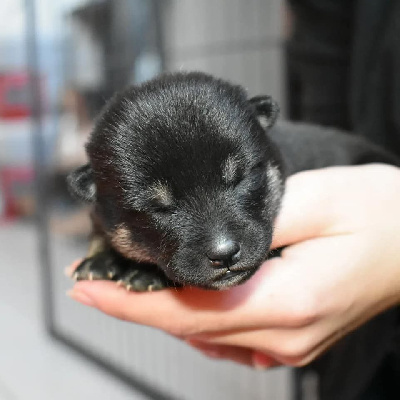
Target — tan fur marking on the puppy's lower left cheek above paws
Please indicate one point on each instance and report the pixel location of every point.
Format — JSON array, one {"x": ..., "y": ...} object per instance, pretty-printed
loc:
[{"x": 121, "y": 240}]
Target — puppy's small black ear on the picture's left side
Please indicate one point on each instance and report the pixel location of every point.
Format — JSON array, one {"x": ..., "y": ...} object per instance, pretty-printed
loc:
[{"x": 81, "y": 183}]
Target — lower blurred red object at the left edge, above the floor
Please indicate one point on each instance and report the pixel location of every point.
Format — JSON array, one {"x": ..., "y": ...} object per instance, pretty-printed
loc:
[{"x": 10, "y": 179}]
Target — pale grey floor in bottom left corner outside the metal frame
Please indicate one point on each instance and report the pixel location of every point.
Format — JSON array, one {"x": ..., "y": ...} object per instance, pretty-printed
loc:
[{"x": 32, "y": 365}]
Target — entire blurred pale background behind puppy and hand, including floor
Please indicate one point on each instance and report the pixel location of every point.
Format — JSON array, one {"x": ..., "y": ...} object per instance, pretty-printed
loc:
[{"x": 59, "y": 63}]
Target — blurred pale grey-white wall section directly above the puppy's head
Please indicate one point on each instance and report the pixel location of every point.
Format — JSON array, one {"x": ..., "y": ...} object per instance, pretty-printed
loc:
[{"x": 239, "y": 40}]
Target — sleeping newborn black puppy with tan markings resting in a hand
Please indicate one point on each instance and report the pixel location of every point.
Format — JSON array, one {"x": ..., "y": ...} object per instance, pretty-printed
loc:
[{"x": 186, "y": 183}]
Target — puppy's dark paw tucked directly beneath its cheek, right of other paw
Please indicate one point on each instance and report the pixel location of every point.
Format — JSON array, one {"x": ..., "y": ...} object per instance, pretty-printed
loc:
[{"x": 144, "y": 278}]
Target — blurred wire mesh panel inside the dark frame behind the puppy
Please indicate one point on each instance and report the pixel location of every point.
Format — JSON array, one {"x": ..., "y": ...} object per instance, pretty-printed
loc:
[{"x": 108, "y": 45}]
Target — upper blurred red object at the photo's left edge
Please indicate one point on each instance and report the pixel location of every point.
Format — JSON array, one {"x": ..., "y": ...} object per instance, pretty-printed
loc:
[{"x": 14, "y": 95}]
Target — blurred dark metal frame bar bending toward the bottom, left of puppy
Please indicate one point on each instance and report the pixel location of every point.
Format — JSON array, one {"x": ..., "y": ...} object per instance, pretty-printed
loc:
[{"x": 144, "y": 388}]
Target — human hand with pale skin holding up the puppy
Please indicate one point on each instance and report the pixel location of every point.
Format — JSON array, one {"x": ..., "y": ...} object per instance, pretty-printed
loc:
[{"x": 341, "y": 268}]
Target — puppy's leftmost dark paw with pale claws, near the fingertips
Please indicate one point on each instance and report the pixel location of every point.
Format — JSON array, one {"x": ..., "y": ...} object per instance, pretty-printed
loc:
[{"x": 102, "y": 266}]
